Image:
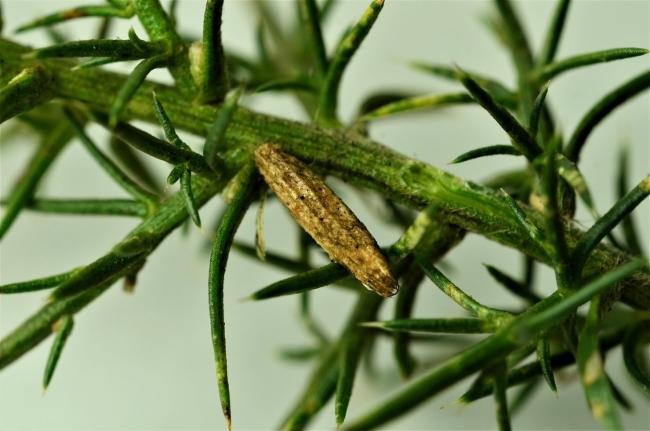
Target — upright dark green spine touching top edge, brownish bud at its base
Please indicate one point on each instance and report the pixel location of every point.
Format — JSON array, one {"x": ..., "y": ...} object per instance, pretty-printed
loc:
[{"x": 212, "y": 74}]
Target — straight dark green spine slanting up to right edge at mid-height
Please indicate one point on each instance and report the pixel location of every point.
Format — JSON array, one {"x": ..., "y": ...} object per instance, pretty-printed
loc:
[{"x": 607, "y": 222}]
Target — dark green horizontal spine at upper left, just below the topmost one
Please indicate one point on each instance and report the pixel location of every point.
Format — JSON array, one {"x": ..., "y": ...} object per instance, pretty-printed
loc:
[{"x": 122, "y": 49}]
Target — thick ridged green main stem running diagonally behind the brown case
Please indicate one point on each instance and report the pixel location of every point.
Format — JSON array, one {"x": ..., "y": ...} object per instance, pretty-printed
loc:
[{"x": 357, "y": 160}]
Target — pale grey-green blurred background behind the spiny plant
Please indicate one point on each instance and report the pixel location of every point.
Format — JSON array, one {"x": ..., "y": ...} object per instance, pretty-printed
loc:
[{"x": 144, "y": 361}]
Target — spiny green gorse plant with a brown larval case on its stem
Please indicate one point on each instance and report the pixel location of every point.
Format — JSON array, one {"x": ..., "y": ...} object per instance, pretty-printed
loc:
[{"x": 60, "y": 89}]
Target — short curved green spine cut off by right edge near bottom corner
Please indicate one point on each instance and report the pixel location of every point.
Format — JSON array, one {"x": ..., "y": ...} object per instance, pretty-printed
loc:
[{"x": 635, "y": 357}]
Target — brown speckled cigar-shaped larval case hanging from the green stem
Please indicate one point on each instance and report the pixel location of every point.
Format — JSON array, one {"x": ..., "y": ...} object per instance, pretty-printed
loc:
[{"x": 326, "y": 218}]
